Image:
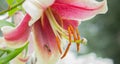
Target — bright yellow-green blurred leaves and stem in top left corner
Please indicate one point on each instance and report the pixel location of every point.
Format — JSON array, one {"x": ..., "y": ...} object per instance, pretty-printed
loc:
[{"x": 10, "y": 6}]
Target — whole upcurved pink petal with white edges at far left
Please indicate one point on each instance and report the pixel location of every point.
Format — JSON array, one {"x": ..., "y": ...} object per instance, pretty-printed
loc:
[{"x": 18, "y": 35}]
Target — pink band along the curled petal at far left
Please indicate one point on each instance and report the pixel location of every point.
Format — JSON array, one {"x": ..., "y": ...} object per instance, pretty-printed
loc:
[{"x": 20, "y": 33}]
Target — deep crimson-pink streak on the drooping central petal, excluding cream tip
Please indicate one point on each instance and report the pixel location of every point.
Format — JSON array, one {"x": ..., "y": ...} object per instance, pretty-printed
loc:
[{"x": 44, "y": 35}]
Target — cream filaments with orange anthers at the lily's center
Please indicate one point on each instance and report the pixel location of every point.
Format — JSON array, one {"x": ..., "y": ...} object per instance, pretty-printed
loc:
[{"x": 71, "y": 34}]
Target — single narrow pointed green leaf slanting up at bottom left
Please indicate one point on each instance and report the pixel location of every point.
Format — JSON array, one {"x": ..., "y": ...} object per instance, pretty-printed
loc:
[{"x": 13, "y": 54}]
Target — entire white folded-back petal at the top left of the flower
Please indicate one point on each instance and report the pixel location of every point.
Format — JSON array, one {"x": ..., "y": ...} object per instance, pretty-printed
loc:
[{"x": 35, "y": 8}]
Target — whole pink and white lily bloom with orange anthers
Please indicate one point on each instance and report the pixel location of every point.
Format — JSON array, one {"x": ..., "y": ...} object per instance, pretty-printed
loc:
[{"x": 48, "y": 21}]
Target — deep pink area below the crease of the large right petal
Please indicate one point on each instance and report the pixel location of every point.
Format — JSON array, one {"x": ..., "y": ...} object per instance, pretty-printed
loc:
[{"x": 73, "y": 12}]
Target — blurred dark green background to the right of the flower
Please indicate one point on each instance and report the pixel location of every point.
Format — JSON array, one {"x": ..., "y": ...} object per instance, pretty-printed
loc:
[{"x": 103, "y": 32}]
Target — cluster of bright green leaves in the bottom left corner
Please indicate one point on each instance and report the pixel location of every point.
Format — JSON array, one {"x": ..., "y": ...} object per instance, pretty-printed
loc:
[{"x": 7, "y": 54}]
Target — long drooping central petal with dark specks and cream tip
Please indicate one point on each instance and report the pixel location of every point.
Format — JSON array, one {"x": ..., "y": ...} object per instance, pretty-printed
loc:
[{"x": 45, "y": 43}]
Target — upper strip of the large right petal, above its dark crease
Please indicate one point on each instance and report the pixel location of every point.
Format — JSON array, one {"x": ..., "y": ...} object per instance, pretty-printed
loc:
[{"x": 82, "y": 3}]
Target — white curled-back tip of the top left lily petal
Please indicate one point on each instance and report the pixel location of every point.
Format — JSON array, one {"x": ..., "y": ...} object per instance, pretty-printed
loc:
[{"x": 34, "y": 10}]
